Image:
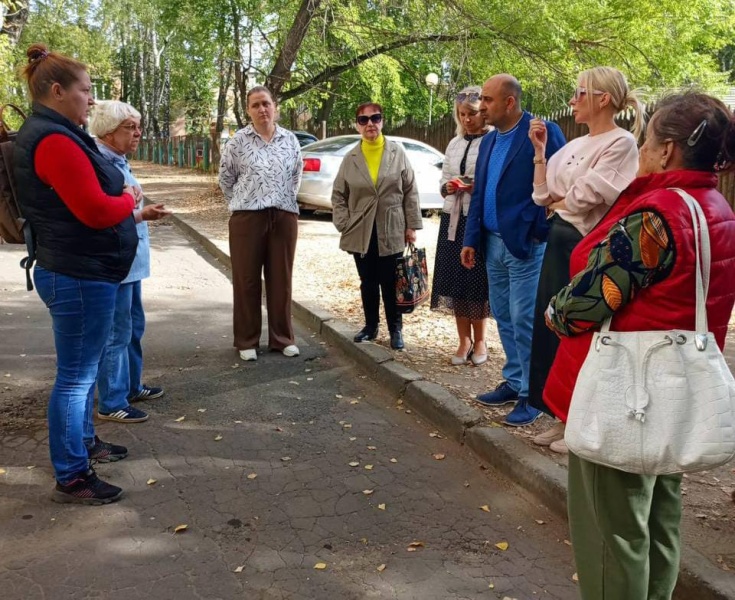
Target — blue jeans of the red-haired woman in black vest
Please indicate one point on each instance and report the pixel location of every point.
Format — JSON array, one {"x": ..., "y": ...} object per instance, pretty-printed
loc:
[{"x": 81, "y": 313}]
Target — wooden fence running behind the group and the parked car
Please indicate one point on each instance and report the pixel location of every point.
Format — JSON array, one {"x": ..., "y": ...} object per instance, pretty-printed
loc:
[{"x": 196, "y": 151}]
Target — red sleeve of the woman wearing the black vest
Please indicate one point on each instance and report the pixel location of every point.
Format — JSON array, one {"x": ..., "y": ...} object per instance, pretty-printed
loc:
[{"x": 62, "y": 164}]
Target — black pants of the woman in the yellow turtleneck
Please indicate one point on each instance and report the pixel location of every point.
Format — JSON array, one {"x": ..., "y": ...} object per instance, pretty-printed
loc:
[{"x": 377, "y": 274}]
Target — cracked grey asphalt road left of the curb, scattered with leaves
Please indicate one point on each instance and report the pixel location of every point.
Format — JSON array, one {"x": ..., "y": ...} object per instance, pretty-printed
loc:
[{"x": 296, "y": 424}]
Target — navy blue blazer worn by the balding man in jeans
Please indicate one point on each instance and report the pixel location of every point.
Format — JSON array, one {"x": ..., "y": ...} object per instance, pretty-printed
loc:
[{"x": 521, "y": 221}]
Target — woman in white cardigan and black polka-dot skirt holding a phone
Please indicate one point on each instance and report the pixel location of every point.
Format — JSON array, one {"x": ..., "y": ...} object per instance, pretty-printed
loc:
[{"x": 462, "y": 292}]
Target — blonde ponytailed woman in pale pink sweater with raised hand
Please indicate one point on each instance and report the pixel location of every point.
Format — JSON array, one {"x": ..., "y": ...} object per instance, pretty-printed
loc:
[{"x": 578, "y": 186}]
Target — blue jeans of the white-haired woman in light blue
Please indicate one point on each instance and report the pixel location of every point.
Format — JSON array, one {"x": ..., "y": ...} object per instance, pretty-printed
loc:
[{"x": 122, "y": 361}]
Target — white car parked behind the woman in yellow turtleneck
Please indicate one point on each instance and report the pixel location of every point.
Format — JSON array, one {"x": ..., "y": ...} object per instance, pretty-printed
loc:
[{"x": 322, "y": 160}]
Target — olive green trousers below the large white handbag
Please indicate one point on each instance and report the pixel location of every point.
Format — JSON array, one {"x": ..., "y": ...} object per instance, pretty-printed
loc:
[{"x": 625, "y": 532}]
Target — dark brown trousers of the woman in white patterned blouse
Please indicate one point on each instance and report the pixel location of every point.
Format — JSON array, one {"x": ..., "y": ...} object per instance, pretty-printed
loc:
[{"x": 262, "y": 241}]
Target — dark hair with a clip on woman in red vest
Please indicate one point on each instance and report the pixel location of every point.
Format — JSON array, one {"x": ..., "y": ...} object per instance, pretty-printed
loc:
[{"x": 701, "y": 126}]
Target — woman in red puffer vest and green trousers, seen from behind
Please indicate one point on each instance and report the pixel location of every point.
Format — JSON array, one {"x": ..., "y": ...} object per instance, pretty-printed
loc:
[{"x": 638, "y": 264}]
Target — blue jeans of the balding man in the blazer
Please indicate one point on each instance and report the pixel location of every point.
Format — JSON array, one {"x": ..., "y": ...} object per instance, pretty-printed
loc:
[{"x": 513, "y": 283}]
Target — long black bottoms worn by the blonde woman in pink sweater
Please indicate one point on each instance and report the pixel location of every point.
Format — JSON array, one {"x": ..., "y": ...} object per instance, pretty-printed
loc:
[{"x": 563, "y": 237}]
